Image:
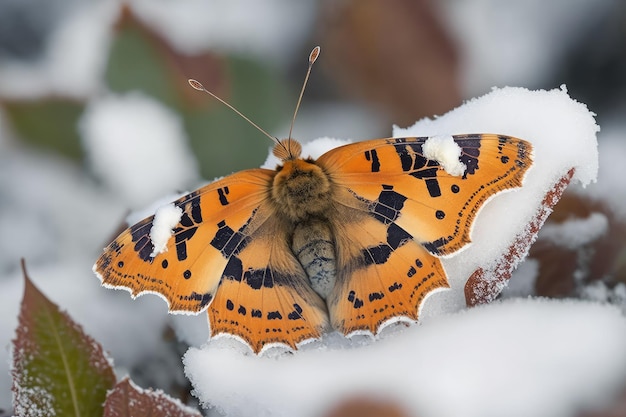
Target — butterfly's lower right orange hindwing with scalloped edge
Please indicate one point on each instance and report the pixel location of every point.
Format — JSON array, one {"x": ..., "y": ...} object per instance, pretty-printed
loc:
[{"x": 387, "y": 277}]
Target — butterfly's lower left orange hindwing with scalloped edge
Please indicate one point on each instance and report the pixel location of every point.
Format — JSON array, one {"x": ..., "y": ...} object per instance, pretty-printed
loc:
[{"x": 264, "y": 296}]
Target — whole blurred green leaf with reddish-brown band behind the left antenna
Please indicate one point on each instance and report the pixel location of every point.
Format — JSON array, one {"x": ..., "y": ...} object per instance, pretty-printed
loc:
[{"x": 140, "y": 60}]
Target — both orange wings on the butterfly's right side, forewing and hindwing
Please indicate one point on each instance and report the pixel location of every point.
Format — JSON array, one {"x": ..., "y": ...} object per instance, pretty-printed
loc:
[{"x": 398, "y": 209}]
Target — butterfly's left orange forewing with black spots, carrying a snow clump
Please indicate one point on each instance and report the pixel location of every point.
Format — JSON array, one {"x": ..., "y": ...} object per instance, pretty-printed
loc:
[{"x": 187, "y": 273}]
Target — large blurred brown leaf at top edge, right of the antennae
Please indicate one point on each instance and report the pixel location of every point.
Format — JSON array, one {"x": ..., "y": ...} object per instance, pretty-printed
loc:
[{"x": 395, "y": 53}]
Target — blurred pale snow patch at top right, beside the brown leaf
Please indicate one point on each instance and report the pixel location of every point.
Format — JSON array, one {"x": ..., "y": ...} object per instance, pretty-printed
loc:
[{"x": 518, "y": 43}]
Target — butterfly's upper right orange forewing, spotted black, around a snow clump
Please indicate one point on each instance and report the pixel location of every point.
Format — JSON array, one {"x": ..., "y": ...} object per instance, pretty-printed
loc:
[{"x": 436, "y": 208}]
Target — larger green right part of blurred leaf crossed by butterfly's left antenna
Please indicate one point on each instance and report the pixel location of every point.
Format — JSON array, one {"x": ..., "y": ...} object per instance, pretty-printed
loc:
[{"x": 222, "y": 141}]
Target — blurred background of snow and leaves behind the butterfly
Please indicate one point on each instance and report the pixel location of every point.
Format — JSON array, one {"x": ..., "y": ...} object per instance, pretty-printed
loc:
[{"x": 97, "y": 119}]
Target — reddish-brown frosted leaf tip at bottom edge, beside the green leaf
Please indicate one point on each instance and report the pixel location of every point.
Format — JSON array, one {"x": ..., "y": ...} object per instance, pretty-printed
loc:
[{"x": 127, "y": 400}]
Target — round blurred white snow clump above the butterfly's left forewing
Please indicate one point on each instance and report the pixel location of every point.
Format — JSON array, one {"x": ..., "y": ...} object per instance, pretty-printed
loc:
[{"x": 136, "y": 146}]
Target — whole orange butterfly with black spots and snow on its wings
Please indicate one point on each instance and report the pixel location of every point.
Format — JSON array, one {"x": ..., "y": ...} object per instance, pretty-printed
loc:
[{"x": 350, "y": 241}]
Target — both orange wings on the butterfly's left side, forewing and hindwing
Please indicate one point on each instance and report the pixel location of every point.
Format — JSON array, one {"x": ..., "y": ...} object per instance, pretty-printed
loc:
[{"x": 217, "y": 248}]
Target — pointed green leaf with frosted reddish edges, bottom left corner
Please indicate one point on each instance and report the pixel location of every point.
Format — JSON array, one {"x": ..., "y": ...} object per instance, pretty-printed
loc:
[{"x": 57, "y": 368}]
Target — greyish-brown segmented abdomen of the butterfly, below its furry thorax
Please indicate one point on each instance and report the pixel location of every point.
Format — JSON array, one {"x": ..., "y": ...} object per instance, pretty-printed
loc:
[{"x": 314, "y": 246}]
